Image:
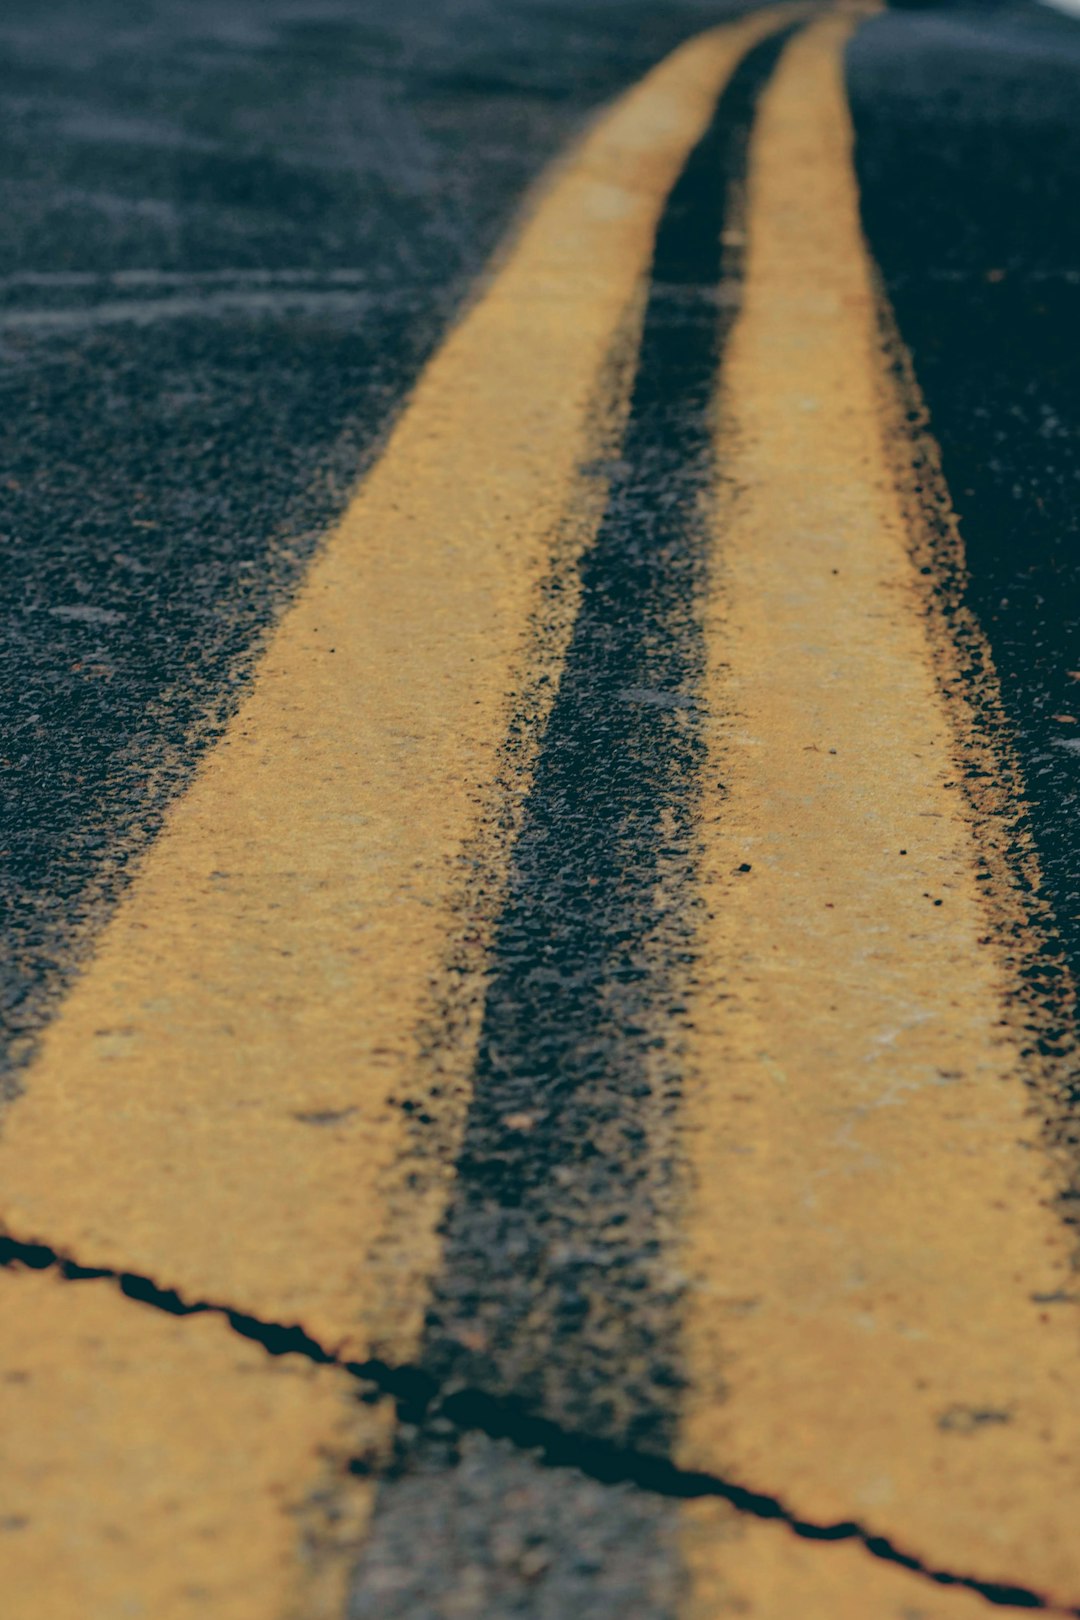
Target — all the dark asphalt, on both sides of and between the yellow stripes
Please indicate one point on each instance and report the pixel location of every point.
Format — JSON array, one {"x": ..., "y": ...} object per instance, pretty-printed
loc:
[{"x": 232, "y": 236}]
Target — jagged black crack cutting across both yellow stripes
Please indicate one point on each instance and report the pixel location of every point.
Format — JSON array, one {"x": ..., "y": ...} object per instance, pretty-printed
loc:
[{"x": 420, "y": 1400}]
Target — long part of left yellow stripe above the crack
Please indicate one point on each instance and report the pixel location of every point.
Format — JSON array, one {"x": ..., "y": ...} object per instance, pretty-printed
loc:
[{"x": 218, "y": 1102}]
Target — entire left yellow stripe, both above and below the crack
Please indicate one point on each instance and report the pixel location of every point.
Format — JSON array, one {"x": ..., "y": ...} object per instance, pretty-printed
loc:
[{"x": 218, "y": 1104}]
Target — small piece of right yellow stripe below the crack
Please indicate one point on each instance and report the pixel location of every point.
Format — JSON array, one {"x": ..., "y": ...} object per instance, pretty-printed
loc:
[{"x": 742, "y": 1567}]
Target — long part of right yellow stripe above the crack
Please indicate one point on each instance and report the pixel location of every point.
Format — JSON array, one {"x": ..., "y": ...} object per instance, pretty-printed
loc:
[{"x": 882, "y": 1308}]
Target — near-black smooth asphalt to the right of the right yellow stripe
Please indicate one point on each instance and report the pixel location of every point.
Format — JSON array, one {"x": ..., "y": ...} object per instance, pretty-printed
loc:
[{"x": 969, "y": 161}]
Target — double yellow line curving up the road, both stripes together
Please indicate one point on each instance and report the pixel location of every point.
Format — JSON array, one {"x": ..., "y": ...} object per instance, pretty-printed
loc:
[{"x": 869, "y": 1235}]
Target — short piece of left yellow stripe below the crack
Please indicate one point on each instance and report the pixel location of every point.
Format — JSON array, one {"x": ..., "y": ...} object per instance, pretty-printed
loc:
[{"x": 161, "y": 1469}]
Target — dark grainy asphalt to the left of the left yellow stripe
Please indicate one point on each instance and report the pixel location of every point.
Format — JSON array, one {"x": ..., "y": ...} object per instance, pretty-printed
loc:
[{"x": 232, "y": 234}]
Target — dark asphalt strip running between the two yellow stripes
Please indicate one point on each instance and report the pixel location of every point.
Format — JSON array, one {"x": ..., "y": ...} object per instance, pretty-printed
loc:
[{"x": 558, "y": 1292}]
